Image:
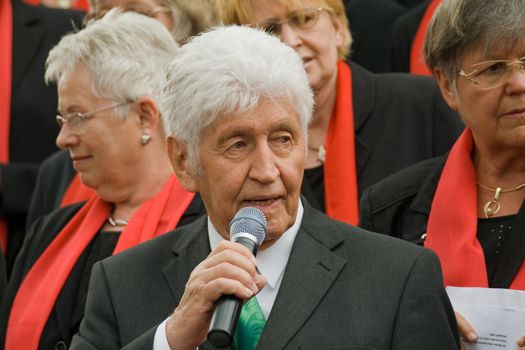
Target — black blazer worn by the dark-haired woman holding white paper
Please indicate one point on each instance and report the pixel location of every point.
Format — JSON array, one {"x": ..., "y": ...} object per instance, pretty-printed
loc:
[{"x": 400, "y": 206}]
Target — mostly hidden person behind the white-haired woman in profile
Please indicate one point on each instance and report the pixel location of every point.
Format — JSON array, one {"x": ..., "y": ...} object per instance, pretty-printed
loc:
[{"x": 57, "y": 183}]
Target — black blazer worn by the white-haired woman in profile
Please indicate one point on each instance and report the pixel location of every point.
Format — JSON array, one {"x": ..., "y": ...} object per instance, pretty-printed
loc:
[{"x": 58, "y": 330}]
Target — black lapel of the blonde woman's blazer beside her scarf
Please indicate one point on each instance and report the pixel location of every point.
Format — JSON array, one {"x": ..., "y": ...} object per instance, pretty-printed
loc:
[{"x": 363, "y": 96}]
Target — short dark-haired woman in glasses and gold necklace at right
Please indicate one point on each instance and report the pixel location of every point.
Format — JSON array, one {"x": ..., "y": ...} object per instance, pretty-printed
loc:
[{"x": 469, "y": 206}]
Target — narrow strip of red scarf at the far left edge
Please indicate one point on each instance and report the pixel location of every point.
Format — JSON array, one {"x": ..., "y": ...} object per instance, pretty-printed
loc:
[{"x": 6, "y": 48}]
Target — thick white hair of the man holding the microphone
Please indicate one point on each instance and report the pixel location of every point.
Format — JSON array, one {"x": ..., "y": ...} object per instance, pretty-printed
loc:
[{"x": 227, "y": 71}]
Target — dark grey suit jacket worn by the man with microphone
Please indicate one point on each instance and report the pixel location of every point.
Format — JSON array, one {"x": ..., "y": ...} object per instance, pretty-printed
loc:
[{"x": 343, "y": 288}]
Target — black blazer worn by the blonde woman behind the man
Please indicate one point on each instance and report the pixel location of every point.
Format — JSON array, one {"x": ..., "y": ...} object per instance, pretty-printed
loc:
[{"x": 399, "y": 120}]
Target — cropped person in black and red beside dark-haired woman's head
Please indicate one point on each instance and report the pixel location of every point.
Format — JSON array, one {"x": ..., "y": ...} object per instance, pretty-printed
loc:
[{"x": 407, "y": 38}]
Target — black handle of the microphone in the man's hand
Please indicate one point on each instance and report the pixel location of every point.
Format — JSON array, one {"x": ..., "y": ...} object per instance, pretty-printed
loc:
[{"x": 227, "y": 309}]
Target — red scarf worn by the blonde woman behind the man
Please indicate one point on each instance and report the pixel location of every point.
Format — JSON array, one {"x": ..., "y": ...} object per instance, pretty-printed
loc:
[{"x": 340, "y": 179}]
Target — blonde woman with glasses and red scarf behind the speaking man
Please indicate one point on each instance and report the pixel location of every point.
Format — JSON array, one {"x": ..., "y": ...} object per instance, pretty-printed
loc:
[{"x": 365, "y": 126}]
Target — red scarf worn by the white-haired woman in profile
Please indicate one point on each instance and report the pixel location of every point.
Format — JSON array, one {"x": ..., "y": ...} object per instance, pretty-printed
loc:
[{"x": 40, "y": 288}]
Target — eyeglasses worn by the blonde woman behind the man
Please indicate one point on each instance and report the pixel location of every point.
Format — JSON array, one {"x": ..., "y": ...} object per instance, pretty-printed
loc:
[{"x": 299, "y": 20}]
